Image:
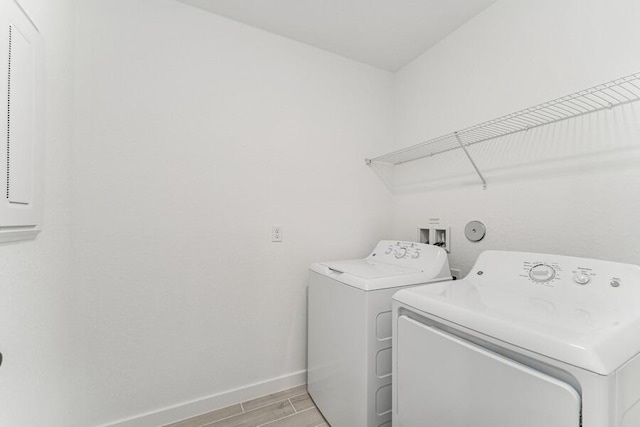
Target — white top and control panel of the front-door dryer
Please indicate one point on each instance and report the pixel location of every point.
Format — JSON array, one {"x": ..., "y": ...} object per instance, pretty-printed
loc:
[{"x": 593, "y": 325}]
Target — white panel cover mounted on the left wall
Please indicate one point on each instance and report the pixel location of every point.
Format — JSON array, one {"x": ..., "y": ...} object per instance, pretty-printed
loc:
[{"x": 22, "y": 132}]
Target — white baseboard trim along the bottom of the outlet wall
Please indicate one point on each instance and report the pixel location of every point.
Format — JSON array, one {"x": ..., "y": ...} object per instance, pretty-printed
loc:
[{"x": 211, "y": 403}]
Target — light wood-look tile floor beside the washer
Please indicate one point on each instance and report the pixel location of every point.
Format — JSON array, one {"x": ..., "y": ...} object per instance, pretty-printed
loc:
[{"x": 288, "y": 408}]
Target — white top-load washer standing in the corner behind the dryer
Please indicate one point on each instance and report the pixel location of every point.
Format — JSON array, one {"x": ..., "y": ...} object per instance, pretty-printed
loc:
[{"x": 349, "y": 353}]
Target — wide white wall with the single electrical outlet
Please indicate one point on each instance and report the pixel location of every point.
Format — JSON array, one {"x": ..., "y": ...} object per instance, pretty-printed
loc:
[{"x": 194, "y": 134}]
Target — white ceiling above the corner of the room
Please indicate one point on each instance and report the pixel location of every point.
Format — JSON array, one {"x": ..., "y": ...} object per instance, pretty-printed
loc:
[{"x": 387, "y": 34}]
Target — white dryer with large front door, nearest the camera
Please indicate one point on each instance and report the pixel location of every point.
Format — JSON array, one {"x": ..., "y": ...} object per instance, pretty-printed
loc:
[{"x": 527, "y": 340}]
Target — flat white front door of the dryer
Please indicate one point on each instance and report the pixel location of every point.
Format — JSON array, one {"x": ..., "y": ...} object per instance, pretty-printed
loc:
[{"x": 445, "y": 381}]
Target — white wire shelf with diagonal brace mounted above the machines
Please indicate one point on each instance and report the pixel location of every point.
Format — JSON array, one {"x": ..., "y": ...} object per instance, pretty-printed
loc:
[{"x": 605, "y": 96}]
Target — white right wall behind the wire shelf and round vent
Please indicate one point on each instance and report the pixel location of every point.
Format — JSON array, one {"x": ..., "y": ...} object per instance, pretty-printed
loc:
[{"x": 571, "y": 188}]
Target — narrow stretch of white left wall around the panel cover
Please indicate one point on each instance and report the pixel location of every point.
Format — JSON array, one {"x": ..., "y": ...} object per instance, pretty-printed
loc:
[{"x": 35, "y": 277}]
